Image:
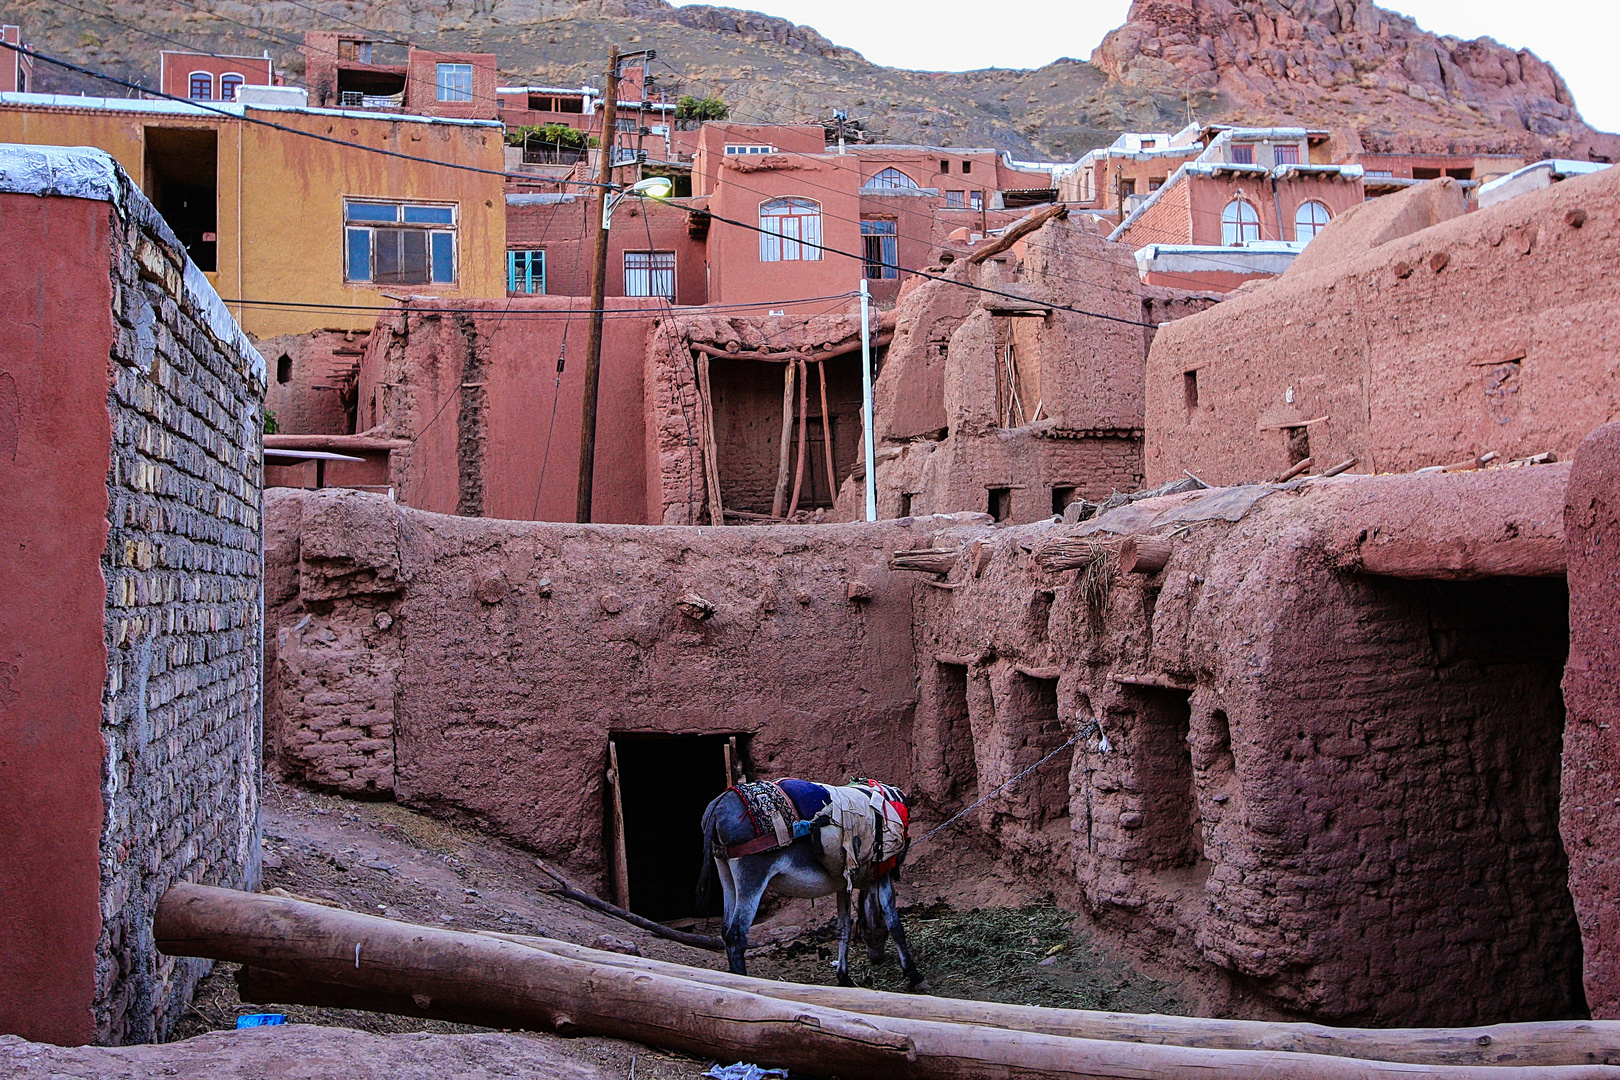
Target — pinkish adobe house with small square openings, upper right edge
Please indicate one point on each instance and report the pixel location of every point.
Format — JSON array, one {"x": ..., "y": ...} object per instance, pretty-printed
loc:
[{"x": 1418, "y": 338}]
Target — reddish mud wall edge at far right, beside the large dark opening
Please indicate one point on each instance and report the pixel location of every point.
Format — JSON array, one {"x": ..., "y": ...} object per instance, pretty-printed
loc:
[{"x": 1592, "y": 739}]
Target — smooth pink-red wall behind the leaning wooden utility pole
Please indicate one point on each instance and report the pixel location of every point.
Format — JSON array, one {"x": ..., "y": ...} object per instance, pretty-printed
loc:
[{"x": 516, "y": 461}]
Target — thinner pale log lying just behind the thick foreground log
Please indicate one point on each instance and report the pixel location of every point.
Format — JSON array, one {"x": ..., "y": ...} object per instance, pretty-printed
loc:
[{"x": 1545, "y": 1044}]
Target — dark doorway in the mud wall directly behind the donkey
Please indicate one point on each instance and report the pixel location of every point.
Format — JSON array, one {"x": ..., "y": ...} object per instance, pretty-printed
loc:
[{"x": 667, "y": 783}]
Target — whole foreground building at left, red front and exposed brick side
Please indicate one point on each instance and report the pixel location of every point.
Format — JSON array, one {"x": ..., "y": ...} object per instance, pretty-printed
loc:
[{"x": 130, "y": 605}]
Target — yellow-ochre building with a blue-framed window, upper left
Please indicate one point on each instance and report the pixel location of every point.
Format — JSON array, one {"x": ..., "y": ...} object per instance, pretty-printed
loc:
[{"x": 296, "y": 229}]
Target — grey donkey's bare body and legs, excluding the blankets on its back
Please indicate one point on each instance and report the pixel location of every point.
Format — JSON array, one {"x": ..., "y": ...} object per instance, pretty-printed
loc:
[{"x": 796, "y": 872}]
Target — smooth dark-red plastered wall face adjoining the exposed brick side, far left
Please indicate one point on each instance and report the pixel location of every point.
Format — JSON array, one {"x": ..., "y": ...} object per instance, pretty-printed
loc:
[{"x": 54, "y": 449}]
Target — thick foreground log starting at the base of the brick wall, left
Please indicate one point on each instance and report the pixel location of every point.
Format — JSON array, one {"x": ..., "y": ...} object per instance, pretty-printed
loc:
[{"x": 487, "y": 976}]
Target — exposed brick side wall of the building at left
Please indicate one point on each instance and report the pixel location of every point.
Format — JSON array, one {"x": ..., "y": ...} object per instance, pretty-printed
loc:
[{"x": 182, "y": 704}]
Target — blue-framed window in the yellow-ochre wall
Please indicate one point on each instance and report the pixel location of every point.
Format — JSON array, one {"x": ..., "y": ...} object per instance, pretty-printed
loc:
[{"x": 399, "y": 244}]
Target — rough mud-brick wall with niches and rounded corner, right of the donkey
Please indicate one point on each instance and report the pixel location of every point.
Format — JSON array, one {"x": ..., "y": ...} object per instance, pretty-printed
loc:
[{"x": 1326, "y": 791}]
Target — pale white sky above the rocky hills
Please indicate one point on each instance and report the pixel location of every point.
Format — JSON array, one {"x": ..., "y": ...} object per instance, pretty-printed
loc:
[{"x": 1575, "y": 36}]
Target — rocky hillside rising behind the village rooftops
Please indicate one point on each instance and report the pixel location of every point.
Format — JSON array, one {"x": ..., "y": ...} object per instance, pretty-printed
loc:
[{"x": 1341, "y": 64}]
